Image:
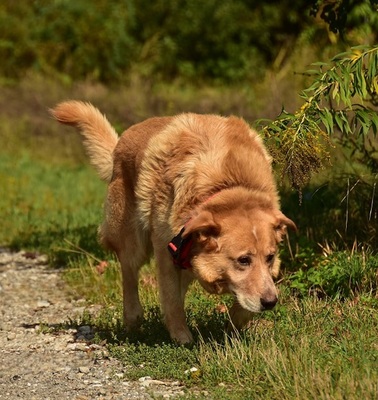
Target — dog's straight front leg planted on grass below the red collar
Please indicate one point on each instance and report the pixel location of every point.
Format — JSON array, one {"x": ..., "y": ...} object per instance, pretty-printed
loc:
[{"x": 171, "y": 297}]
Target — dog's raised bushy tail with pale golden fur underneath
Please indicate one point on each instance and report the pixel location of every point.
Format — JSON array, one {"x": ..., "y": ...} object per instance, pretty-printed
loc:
[{"x": 100, "y": 138}]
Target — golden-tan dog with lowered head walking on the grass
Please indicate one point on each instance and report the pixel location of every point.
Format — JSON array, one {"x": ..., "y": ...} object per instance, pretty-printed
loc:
[{"x": 198, "y": 193}]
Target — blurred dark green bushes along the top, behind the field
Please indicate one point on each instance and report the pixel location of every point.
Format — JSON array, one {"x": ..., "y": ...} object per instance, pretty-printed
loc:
[{"x": 222, "y": 41}]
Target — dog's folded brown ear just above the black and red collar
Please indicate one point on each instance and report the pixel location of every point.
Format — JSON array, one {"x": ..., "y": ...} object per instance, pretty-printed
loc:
[{"x": 203, "y": 228}]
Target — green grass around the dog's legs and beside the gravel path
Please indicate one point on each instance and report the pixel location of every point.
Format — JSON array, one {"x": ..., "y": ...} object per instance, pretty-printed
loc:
[{"x": 315, "y": 345}]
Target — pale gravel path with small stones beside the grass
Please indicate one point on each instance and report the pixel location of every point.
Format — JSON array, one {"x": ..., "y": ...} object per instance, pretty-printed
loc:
[{"x": 59, "y": 365}]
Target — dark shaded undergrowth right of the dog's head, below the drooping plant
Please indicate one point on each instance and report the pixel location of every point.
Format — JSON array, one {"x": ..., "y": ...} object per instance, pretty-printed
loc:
[{"x": 338, "y": 208}]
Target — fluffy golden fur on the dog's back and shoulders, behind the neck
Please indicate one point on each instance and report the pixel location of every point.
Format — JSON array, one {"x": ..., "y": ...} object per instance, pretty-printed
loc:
[{"x": 194, "y": 156}]
